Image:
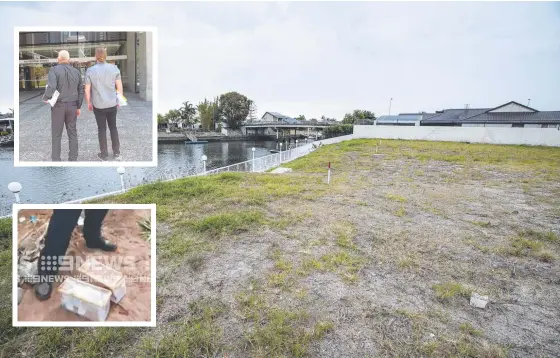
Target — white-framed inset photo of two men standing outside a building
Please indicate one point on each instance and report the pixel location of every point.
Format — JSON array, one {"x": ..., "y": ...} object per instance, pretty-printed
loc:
[{"x": 85, "y": 96}]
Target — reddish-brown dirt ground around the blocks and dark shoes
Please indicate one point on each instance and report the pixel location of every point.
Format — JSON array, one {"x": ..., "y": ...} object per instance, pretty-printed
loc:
[{"x": 120, "y": 227}]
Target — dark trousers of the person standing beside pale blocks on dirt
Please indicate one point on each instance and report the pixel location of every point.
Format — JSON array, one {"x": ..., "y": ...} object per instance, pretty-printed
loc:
[{"x": 61, "y": 225}]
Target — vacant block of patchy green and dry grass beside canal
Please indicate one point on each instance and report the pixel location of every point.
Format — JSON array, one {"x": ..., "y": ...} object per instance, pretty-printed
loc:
[{"x": 380, "y": 263}]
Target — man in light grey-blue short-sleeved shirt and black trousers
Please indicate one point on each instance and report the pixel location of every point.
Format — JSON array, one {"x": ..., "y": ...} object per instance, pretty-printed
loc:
[{"x": 103, "y": 83}]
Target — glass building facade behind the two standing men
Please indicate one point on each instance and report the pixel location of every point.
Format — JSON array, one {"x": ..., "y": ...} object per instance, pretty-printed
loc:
[{"x": 38, "y": 52}]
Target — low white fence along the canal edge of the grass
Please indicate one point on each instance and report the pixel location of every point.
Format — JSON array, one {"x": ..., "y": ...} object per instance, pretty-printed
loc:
[{"x": 257, "y": 165}]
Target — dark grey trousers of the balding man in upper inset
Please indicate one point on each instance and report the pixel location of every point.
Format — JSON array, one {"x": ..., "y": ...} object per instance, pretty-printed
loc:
[{"x": 64, "y": 114}]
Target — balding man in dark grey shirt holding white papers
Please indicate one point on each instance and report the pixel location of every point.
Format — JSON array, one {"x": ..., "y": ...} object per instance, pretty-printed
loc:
[{"x": 67, "y": 80}]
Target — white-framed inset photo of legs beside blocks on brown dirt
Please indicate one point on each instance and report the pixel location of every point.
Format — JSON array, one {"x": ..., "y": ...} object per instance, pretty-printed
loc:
[{"x": 84, "y": 265}]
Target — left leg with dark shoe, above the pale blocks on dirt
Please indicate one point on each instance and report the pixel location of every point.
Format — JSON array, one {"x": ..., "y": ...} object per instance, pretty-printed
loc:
[{"x": 61, "y": 225}]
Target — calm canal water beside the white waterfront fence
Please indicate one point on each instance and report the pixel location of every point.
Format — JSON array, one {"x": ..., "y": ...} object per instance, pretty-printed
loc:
[{"x": 57, "y": 185}]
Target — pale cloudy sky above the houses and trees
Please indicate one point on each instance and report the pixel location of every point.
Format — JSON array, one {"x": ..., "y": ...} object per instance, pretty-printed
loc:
[{"x": 330, "y": 58}]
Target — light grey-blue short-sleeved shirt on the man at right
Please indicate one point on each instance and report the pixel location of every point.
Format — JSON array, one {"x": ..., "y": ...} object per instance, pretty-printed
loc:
[{"x": 102, "y": 77}]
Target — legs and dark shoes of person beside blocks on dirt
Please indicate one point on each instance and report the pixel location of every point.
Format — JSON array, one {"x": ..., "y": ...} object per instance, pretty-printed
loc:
[{"x": 61, "y": 225}]
